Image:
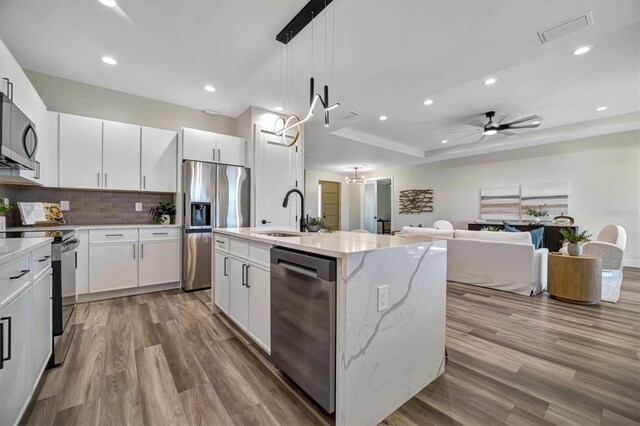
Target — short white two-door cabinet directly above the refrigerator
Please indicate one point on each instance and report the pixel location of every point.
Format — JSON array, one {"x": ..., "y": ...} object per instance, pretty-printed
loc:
[{"x": 199, "y": 145}]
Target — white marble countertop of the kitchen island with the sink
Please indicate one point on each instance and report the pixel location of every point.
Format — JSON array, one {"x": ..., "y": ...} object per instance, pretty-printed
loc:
[{"x": 335, "y": 244}]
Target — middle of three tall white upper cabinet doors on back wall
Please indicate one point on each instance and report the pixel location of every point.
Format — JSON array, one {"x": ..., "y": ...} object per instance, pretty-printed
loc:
[{"x": 121, "y": 156}]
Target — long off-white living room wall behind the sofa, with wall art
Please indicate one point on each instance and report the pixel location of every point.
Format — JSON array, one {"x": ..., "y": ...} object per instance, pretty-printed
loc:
[{"x": 603, "y": 174}]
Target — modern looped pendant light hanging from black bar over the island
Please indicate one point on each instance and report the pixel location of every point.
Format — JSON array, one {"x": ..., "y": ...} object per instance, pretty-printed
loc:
[{"x": 301, "y": 20}]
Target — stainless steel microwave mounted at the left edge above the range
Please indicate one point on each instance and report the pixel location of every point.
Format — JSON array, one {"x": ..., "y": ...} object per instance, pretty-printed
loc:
[{"x": 19, "y": 140}]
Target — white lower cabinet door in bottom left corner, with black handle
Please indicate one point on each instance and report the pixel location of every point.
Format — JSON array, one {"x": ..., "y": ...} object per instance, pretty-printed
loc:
[{"x": 14, "y": 374}]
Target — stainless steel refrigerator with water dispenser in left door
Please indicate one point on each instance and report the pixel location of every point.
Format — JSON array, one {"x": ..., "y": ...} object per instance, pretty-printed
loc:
[{"x": 214, "y": 196}]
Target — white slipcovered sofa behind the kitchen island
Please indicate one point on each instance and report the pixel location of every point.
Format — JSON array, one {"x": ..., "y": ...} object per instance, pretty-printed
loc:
[{"x": 502, "y": 260}]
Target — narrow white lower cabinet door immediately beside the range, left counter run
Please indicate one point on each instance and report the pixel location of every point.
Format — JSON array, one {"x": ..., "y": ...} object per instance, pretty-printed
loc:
[{"x": 41, "y": 326}]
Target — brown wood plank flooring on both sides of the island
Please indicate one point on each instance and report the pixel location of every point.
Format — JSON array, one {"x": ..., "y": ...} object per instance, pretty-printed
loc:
[{"x": 163, "y": 358}]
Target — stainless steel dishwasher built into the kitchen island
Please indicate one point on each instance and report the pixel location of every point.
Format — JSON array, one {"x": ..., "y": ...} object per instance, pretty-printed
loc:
[{"x": 303, "y": 321}]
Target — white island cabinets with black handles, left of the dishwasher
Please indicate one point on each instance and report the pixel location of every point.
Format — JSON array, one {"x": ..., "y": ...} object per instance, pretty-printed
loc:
[{"x": 242, "y": 287}]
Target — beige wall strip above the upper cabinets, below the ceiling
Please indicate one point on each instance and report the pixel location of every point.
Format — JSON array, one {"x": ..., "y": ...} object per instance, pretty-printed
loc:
[{"x": 72, "y": 97}]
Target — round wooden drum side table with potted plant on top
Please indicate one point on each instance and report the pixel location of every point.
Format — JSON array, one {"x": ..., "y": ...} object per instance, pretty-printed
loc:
[{"x": 575, "y": 279}]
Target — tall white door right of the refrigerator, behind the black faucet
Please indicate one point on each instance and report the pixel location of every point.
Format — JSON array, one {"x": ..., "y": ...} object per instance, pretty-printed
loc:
[{"x": 276, "y": 170}]
